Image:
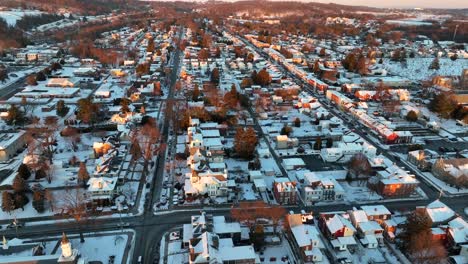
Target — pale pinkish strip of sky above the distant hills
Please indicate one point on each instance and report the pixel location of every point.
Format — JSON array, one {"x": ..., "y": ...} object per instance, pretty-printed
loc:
[{"x": 393, "y": 3}]
